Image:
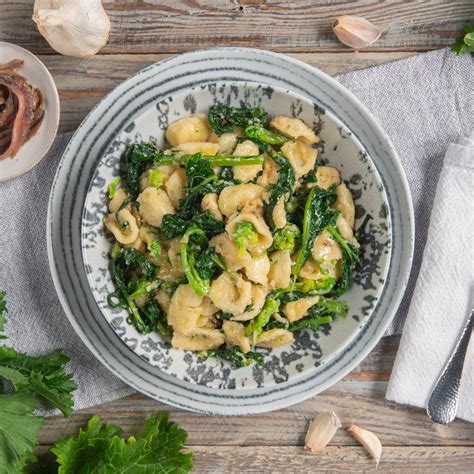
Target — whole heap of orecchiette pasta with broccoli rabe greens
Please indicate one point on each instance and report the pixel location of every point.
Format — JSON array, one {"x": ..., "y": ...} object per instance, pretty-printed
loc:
[{"x": 227, "y": 241}]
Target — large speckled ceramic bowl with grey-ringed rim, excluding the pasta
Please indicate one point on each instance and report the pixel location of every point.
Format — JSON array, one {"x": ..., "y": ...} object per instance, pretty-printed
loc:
[{"x": 140, "y": 109}]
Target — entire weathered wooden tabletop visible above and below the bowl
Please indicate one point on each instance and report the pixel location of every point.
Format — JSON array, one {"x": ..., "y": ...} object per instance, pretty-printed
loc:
[{"x": 147, "y": 31}]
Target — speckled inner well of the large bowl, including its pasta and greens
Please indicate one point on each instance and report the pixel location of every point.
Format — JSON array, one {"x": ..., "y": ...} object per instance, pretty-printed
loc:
[{"x": 236, "y": 214}]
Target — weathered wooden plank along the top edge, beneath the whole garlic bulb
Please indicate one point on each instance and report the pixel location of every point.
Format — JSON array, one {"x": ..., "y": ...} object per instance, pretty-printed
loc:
[{"x": 176, "y": 26}]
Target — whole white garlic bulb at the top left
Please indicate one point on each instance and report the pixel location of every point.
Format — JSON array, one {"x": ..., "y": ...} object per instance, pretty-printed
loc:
[{"x": 73, "y": 27}]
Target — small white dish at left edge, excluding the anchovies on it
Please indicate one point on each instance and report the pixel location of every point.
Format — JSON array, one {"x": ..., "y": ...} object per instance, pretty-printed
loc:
[{"x": 31, "y": 153}]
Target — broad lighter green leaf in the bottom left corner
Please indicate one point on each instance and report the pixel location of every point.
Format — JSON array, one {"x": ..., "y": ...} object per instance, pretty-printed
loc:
[{"x": 18, "y": 430}]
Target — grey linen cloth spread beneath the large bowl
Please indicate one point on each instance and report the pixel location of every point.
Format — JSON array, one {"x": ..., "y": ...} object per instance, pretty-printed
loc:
[{"x": 422, "y": 102}]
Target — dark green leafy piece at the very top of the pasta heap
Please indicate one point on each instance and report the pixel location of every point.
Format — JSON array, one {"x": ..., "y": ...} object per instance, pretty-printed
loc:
[{"x": 223, "y": 117}]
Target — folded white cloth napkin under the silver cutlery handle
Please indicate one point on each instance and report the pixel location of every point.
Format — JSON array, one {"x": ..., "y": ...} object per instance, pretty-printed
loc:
[{"x": 443, "y": 293}]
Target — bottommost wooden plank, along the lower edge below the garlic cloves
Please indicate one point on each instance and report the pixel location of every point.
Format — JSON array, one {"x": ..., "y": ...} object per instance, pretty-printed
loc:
[{"x": 332, "y": 459}]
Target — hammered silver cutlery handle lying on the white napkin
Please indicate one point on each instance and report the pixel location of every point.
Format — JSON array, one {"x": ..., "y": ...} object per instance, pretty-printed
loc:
[{"x": 443, "y": 401}]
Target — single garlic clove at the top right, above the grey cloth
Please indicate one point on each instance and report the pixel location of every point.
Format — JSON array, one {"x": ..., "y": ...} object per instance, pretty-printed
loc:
[{"x": 355, "y": 31}]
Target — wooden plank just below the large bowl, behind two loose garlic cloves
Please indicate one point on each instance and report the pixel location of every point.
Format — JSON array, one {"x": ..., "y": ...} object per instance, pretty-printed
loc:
[{"x": 361, "y": 403}]
